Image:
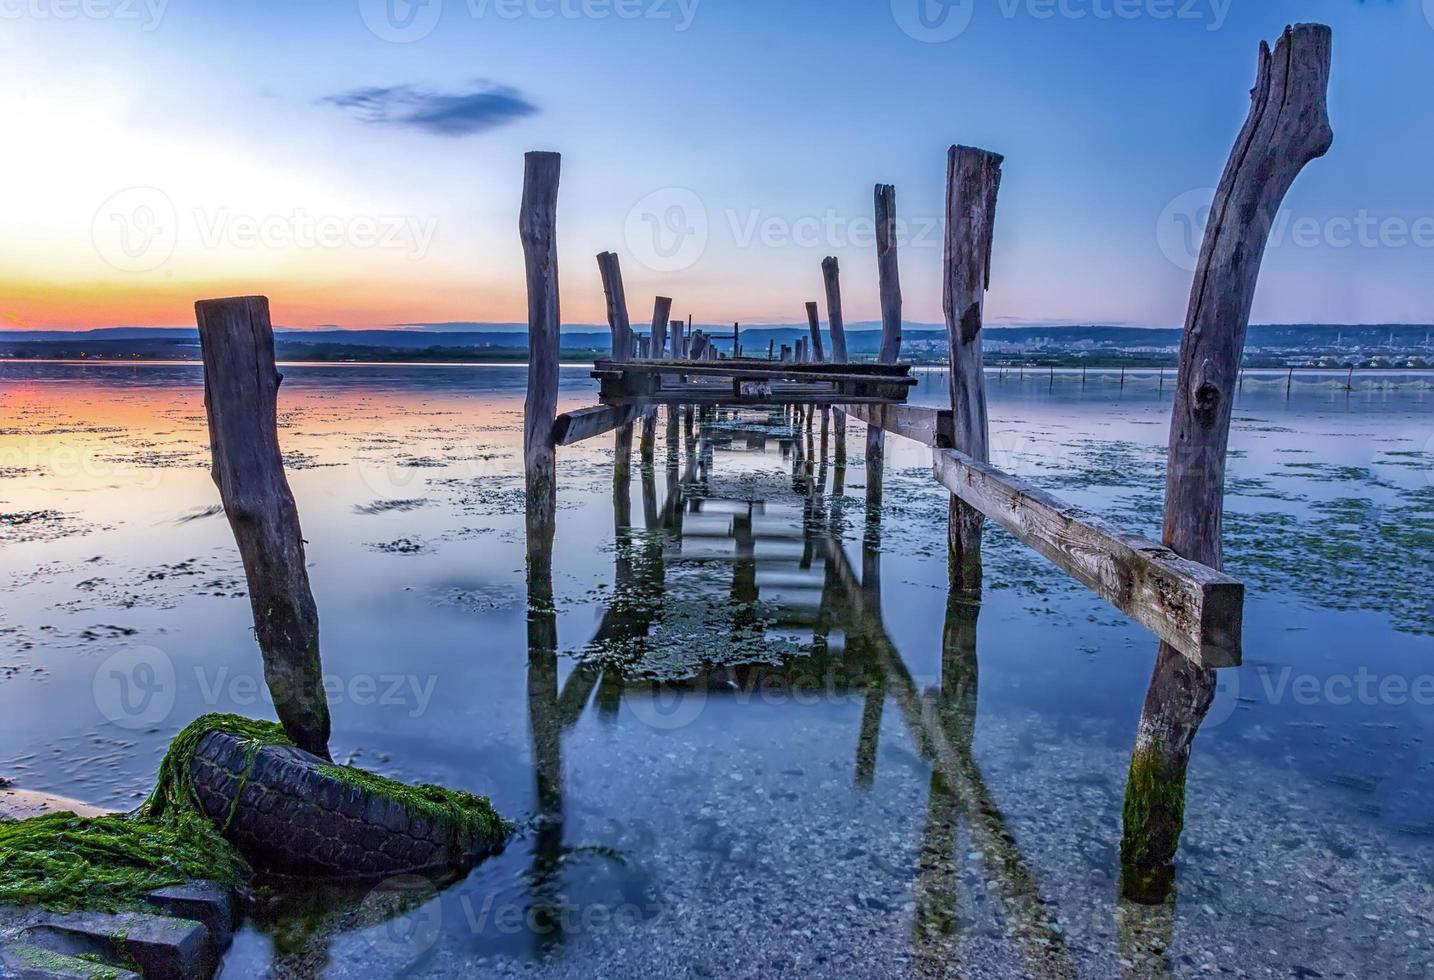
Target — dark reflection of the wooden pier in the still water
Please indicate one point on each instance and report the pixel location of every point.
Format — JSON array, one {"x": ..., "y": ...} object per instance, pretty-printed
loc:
[{"x": 789, "y": 559}]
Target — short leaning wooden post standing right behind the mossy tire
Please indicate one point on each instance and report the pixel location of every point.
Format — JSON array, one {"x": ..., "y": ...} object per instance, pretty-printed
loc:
[{"x": 242, "y": 402}]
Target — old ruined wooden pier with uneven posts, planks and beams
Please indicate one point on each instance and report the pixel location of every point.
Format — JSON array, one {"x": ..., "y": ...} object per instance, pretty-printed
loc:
[{"x": 1175, "y": 588}]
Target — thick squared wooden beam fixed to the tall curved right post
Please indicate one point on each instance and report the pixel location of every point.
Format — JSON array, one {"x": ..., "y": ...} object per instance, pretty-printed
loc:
[{"x": 1194, "y": 608}]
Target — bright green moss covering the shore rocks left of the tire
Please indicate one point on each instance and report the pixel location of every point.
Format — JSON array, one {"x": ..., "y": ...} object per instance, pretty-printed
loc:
[{"x": 62, "y": 862}]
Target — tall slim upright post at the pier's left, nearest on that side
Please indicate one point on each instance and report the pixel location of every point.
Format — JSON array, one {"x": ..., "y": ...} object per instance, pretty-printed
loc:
[{"x": 537, "y": 227}]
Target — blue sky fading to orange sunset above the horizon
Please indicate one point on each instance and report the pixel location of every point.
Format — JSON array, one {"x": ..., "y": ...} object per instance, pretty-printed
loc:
[{"x": 746, "y": 137}]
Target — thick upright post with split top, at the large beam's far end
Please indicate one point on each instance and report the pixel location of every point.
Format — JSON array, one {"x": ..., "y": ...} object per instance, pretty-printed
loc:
[{"x": 973, "y": 182}]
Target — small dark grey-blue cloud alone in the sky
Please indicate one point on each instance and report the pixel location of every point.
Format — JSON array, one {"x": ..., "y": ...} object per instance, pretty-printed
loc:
[{"x": 442, "y": 114}]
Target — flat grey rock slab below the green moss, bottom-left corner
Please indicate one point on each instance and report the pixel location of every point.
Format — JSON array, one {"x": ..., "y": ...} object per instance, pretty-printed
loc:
[{"x": 161, "y": 948}]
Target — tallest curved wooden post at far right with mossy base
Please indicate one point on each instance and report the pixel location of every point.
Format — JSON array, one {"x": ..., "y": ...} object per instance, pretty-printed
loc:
[{"x": 1287, "y": 128}]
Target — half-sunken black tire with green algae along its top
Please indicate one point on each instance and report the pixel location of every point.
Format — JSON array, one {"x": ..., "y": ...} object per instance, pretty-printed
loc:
[{"x": 292, "y": 813}]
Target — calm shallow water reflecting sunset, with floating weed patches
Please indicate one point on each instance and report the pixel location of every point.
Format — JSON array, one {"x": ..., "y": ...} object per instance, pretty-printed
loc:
[{"x": 875, "y": 787}]
